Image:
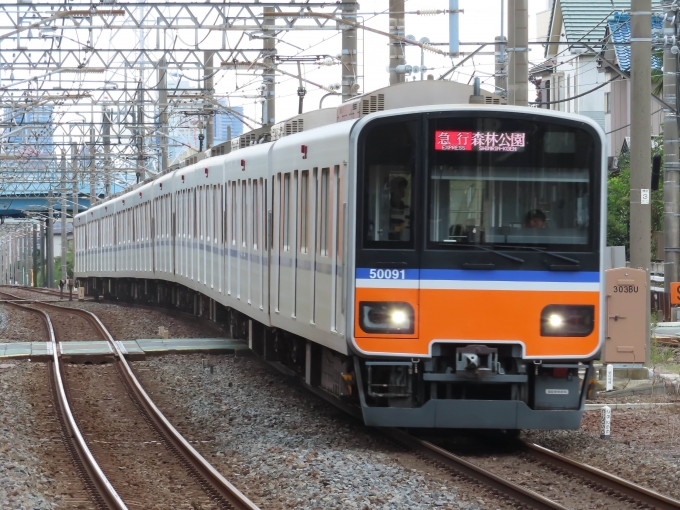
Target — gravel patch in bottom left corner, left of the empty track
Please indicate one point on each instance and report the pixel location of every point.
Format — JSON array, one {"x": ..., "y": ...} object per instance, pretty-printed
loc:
[{"x": 36, "y": 471}]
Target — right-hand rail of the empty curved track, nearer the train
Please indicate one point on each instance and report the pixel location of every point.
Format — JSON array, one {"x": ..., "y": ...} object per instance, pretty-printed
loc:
[{"x": 220, "y": 484}]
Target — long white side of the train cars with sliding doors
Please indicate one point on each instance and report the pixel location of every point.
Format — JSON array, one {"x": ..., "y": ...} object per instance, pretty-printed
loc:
[{"x": 222, "y": 213}]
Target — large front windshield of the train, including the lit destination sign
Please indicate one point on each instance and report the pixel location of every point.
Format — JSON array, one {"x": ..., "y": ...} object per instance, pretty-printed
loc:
[{"x": 502, "y": 181}]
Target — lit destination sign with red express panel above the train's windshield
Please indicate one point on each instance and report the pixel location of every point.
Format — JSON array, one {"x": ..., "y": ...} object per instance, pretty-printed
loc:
[{"x": 480, "y": 141}]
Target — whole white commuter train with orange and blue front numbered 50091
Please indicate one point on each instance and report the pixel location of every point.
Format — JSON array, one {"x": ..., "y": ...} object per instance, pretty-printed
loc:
[{"x": 426, "y": 257}]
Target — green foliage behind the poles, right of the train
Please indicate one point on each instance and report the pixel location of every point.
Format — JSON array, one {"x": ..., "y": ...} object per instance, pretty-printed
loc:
[{"x": 618, "y": 202}]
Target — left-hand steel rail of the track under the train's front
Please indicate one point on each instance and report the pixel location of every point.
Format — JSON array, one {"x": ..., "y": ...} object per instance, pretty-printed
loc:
[{"x": 506, "y": 487}]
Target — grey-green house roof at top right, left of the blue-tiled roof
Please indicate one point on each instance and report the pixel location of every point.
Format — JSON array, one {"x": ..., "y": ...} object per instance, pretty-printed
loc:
[{"x": 585, "y": 20}]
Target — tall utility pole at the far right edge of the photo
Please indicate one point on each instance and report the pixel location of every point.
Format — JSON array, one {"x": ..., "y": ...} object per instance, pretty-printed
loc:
[{"x": 671, "y": 166}]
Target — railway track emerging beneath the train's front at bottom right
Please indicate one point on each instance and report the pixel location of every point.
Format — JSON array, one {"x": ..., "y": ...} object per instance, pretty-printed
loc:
[{"x": 620, "y": 493}]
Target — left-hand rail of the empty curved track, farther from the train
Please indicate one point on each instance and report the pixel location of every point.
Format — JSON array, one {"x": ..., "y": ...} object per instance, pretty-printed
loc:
[{"x": 104, "y": 488}]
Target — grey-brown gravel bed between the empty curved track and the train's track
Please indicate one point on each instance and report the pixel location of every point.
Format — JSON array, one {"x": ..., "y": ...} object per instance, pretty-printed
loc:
[{"x": 285, "y": 448}]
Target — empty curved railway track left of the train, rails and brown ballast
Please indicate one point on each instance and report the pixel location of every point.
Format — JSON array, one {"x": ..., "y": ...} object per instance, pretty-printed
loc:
[{"x": 127, "y": 452}]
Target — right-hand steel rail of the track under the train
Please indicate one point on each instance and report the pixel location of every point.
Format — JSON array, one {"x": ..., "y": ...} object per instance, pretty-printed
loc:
[{"x": 602, "y": 478}]
